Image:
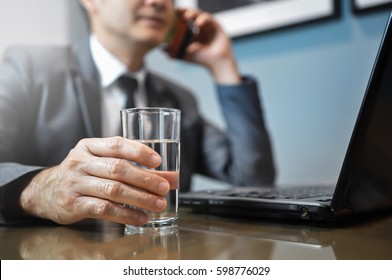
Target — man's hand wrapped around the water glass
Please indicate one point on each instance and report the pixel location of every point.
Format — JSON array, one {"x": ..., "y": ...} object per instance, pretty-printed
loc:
[{"x": 95, "y": 180}]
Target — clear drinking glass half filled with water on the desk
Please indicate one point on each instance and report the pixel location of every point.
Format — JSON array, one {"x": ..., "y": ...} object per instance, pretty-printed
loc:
[{"x": 159, "y": 129}]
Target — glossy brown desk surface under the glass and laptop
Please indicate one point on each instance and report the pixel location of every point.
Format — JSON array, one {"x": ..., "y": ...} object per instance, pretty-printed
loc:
[{"x": 201, "y": 237}]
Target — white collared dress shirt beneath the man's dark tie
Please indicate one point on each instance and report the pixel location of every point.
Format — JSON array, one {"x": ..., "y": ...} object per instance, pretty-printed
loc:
[{"x": 113, "y": 98}]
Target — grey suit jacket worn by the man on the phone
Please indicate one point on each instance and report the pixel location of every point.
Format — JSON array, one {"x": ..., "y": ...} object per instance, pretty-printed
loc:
[{"x": 50, "y": 99}]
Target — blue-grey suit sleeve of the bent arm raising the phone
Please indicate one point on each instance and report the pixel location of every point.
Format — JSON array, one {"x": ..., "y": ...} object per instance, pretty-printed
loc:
[{"x": 242, "y": 155}]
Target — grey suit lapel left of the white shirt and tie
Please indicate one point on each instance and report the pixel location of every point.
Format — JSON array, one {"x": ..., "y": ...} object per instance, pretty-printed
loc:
[{"x": 86, "y": 84}]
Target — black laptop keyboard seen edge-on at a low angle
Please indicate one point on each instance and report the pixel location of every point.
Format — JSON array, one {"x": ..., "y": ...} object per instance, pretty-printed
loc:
[{"x": 289, "y": 193}]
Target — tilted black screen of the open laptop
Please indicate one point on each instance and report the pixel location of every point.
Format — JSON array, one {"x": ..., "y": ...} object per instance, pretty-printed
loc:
[{"x": 367, "y": 173}]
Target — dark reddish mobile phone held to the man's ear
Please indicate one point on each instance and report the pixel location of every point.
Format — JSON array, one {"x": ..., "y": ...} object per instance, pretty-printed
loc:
[{"x": 179, "y": 37}]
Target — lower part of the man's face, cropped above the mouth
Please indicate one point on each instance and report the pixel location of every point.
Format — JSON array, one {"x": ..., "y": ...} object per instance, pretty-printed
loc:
[{"x": 143, "y": 22}]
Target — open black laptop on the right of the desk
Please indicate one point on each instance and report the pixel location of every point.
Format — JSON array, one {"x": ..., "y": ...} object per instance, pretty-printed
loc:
[{"x": 364, "y": 184}]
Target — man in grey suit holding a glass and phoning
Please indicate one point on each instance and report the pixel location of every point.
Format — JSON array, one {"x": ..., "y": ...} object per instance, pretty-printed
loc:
[{"x": 60, "y": 158}]
